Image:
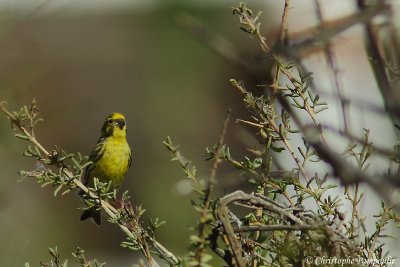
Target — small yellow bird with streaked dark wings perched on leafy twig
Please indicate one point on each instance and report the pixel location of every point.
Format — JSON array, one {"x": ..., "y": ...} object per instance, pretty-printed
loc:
[{"x": 111, "y": 159}]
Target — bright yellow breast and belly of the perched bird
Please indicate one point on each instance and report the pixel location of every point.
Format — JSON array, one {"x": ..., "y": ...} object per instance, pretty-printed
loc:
[{"x": 114, "y": 163}]
